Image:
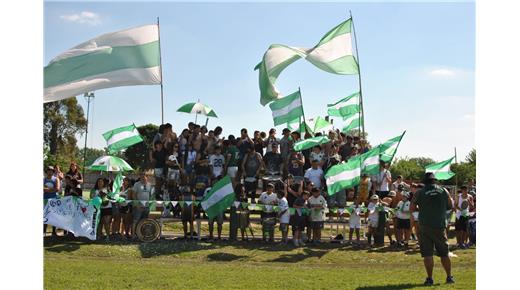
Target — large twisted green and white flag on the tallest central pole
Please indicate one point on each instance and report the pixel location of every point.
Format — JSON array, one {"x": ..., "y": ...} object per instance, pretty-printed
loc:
[{"x": 333, "y": 54}]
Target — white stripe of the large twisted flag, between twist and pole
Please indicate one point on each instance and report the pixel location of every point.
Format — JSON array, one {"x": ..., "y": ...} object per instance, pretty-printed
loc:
[{"x": 336, "y": 48}]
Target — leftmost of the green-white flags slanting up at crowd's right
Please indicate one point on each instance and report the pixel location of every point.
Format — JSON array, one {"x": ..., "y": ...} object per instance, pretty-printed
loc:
[{"x": 344, "y": 175}]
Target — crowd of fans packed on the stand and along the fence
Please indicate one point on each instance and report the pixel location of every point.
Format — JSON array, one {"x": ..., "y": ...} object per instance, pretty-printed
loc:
[{"x": 293, "y": 189}]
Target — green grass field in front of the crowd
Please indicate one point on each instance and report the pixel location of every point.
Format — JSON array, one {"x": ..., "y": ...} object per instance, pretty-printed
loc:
[{"x": 179, "y": 264}]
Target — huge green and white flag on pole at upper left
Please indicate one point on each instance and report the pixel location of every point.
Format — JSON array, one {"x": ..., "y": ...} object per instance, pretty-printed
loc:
[{"x": 123, "y": 58}]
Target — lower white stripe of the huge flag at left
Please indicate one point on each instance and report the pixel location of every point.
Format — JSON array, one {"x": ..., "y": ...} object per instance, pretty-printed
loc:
[{"x": 133, "y": 76}]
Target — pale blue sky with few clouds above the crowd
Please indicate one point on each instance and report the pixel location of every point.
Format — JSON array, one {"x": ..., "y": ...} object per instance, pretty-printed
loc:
[{"x": 417, "y": 63}]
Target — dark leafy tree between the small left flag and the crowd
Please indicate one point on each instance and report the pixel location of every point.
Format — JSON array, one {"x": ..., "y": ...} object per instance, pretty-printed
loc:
[{"x": 137, "y": 155}]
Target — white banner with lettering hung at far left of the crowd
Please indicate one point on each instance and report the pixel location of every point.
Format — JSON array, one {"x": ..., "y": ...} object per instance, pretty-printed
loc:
[{"x": 72, "y": 214}]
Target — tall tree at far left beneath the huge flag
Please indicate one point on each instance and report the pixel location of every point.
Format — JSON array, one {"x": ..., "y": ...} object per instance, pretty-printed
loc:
[{"x": 62, "y": 121}]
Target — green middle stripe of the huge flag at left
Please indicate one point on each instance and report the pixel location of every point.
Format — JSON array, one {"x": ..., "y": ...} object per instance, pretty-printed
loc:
[{"x": 102, "y": 61}]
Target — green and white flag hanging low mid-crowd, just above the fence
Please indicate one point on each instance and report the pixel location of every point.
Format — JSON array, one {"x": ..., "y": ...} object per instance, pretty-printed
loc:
[{"x": 220, "y": 197}]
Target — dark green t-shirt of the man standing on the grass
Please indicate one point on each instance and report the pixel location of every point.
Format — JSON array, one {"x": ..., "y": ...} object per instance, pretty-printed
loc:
[{"x": 433, "y": 204}]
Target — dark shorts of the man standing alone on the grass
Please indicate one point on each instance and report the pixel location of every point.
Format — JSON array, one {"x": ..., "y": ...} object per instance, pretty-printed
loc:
[{"x": 431, "y": 238}]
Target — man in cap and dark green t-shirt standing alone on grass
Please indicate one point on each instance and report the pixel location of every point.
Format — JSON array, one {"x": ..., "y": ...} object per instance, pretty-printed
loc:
[{"x": 433, "y": 202}]
